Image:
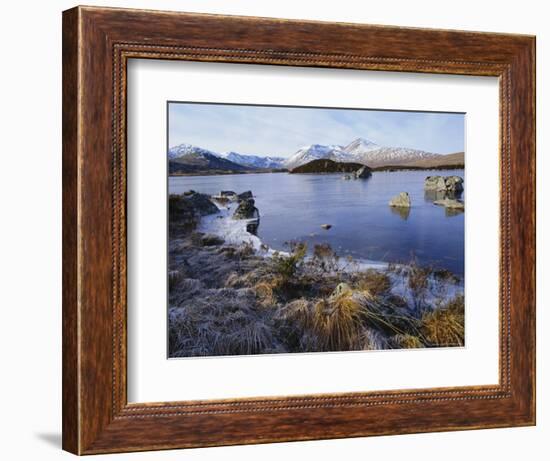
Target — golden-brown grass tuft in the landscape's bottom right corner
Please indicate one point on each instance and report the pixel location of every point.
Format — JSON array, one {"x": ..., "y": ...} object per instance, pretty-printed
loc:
[{"x": 444, "y": 327}]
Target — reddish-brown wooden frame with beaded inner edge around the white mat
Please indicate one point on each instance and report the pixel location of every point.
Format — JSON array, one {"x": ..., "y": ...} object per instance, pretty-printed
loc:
[{"x": 97, "y": 43}]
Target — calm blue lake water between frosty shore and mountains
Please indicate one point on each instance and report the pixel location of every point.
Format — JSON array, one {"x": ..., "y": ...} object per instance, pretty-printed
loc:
[{"x": 294, "y": 206}]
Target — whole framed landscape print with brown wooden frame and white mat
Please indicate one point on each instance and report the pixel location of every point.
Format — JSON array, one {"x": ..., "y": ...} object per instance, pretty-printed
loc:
[{"x": 285, "y": 230}]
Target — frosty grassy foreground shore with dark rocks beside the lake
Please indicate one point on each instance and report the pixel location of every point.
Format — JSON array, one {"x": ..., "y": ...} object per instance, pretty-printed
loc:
[{"x": 229, "y": 294}]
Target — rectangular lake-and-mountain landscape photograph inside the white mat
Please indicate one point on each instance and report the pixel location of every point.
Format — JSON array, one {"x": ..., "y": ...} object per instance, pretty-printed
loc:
[{"x": 313, "y": 229}]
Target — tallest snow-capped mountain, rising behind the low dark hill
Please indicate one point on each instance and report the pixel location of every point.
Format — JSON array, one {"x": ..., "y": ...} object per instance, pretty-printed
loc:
[{"x": 360, "y": 150}]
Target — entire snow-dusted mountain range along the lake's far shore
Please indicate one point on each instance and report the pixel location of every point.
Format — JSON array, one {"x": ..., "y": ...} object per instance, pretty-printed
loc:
[{"x": 186, "y": 158}]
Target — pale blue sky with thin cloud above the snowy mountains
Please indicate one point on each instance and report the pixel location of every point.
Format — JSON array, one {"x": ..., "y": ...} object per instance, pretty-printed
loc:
[{"x": 281, "y": 131}]
